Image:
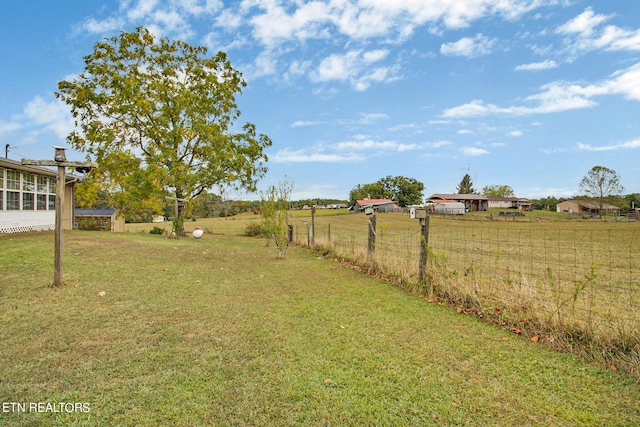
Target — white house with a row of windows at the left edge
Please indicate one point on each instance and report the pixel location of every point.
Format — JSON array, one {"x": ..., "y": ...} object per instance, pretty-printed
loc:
[{"x": 28, "y": 195}]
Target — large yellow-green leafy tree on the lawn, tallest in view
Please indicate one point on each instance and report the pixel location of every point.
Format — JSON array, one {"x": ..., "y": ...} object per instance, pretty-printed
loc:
[{"x": 159, "y": 116}]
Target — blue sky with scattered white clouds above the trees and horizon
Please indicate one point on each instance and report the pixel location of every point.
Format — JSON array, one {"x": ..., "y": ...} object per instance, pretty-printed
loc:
[{"x": 526, "y": 93}]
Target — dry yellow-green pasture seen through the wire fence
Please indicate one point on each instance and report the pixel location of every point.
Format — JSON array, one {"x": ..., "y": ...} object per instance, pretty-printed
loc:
[{"x": 568, "y": 279}]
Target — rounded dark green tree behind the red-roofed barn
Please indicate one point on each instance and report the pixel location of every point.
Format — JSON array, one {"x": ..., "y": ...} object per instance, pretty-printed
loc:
[{"x": 402, "y": 190}]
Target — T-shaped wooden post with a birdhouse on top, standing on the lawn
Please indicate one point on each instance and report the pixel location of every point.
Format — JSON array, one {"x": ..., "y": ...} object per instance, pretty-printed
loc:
[{"x": 61, "y": 162}]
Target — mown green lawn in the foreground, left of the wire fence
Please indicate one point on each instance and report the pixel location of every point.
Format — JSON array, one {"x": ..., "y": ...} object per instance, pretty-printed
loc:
[{"x": 218, "y": 332}]
